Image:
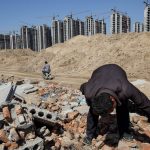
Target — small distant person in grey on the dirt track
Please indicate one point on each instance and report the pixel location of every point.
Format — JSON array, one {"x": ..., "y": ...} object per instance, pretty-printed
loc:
[{"x": 46, "y": 70}]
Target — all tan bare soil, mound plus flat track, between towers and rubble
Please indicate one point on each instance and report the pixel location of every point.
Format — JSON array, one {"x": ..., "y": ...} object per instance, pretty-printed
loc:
[{"x": 73, "y": 61}]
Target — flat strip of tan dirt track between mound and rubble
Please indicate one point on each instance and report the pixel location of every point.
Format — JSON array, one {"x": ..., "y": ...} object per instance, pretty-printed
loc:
[{"x": 70, "y": 80}]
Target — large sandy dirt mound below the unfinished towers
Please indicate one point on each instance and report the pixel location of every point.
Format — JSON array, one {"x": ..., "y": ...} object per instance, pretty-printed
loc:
[{"x": 81, "y": 55}]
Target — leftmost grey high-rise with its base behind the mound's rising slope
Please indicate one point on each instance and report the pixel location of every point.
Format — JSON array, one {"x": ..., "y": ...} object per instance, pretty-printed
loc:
[{"x": 57, "y": 32}]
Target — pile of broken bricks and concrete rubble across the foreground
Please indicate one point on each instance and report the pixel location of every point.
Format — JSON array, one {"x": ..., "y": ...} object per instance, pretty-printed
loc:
[{"x": 55, "y": 119}]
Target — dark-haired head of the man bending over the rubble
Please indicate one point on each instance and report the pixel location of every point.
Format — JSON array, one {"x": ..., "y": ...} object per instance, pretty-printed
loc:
[{"x": 103, "y": 104}]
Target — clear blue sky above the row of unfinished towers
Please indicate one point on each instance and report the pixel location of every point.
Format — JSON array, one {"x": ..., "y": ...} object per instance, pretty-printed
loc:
[{"x": 15, "y": 13}]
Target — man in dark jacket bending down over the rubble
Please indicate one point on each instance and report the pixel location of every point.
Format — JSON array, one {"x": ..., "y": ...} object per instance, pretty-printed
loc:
[{"x": 109, "y": 88}]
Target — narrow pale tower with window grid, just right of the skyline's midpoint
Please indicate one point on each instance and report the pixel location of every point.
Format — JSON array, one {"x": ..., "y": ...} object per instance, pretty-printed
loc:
[{"x": 89, "y": 26}]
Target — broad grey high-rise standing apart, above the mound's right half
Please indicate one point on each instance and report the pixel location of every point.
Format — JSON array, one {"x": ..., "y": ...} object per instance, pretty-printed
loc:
[{"x": 120, "y": 23}]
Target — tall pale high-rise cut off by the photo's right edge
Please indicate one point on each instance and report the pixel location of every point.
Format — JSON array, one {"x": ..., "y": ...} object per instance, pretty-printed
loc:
[{"x": 147, "y": 18}]
